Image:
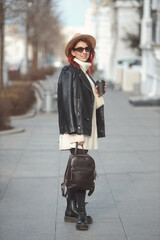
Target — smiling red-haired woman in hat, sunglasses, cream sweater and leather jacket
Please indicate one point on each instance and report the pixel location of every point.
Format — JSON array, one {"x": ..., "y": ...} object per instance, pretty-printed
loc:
[{"x": 81, "y": 114}]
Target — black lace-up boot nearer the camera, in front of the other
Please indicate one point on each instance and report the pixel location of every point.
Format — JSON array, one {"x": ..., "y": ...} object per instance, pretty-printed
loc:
[{"x": 82, "y": 218}]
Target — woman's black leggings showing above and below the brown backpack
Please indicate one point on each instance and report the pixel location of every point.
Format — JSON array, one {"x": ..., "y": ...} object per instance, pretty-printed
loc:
[{"x": 79, "y": 195}]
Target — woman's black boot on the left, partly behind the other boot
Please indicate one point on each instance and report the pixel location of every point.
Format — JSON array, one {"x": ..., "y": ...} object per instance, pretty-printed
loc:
[{"x": 71, "y": 213}]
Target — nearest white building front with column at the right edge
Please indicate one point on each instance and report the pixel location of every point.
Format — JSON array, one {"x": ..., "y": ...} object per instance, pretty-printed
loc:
[{"x": 150, "y": 45}]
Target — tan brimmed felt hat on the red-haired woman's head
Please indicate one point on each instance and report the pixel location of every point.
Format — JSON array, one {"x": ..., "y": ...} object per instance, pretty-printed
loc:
[{"x": 79, "y": 36}]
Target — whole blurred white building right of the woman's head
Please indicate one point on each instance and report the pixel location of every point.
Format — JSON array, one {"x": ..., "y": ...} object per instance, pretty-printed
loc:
[{"x": 127, "y": 34}]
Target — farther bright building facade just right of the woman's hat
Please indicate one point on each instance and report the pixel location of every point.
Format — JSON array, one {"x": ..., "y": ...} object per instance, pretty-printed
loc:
[{"x": 109, "y": 21}]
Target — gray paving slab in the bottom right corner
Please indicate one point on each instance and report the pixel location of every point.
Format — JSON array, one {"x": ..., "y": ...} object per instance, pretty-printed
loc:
[{"x": 140, "y": 218}]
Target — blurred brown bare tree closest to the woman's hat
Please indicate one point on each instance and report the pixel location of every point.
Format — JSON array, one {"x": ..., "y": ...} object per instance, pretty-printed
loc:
[{"x": 43, "y": 28}]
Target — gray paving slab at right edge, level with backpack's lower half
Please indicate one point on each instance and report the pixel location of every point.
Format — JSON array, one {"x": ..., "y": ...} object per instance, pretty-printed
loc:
[{"x": 134, "y": 187}]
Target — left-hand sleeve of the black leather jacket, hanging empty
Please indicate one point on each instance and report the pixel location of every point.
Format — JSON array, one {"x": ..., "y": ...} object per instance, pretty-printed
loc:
[{"x": 65, "y": 102}]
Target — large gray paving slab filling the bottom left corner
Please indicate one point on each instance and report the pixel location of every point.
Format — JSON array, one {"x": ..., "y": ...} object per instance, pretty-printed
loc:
[{"x": 28, "y": 209}]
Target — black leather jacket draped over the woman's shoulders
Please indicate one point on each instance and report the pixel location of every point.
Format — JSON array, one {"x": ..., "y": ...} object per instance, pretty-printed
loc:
[{"x": 75, "y": 103}]
